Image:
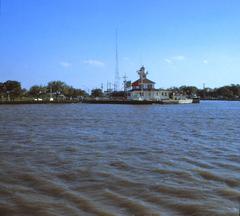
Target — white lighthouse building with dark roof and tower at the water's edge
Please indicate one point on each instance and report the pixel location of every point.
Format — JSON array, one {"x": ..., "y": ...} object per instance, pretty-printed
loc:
[{"x": 144, "y": 89}]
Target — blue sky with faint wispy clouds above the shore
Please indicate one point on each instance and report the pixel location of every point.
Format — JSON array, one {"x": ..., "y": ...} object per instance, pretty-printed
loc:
[{"x": 180, "y": 42}]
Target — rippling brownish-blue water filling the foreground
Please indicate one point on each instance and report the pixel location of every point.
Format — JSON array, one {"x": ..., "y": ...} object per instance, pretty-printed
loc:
[{"x": 120, "y": 159}]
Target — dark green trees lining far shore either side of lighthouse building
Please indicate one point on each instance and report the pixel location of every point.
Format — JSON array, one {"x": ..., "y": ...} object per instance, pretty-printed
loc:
[{"x": 12, "y": 90}]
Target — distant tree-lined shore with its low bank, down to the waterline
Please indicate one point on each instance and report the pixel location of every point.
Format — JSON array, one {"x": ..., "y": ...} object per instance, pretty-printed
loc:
[{"x": 58, "y": 92}]
